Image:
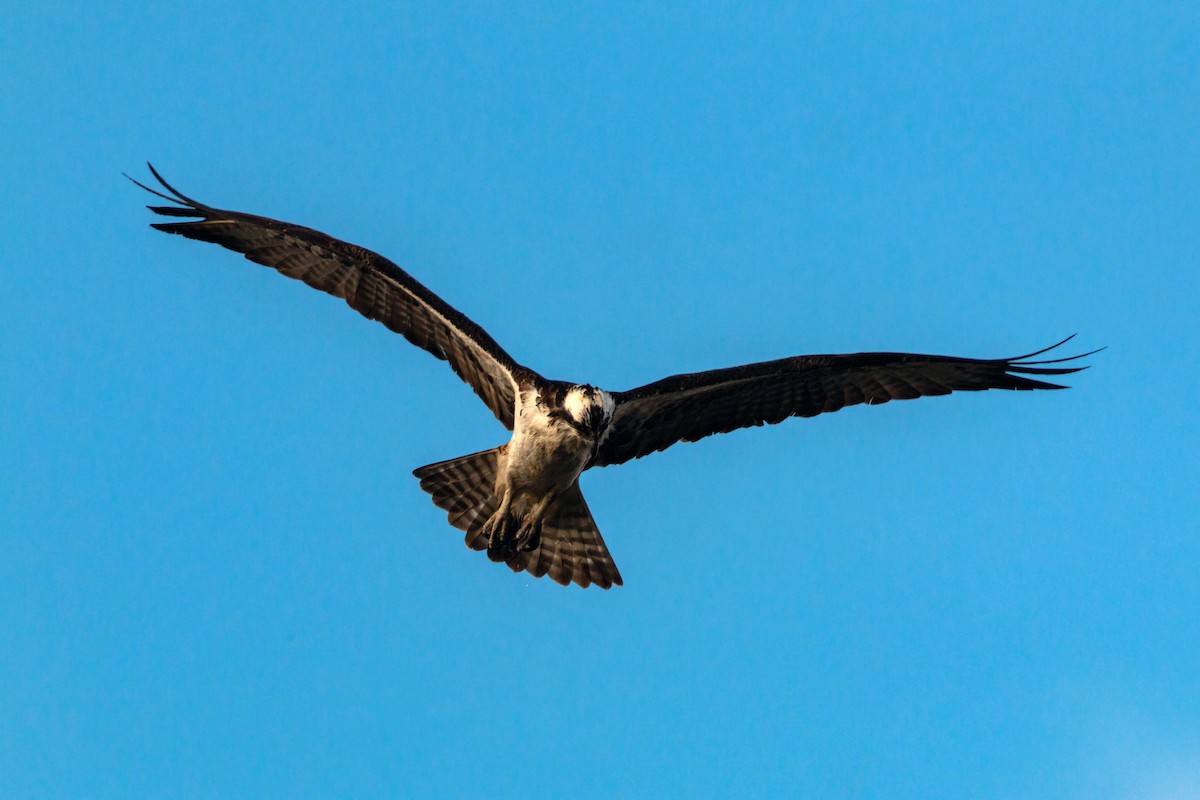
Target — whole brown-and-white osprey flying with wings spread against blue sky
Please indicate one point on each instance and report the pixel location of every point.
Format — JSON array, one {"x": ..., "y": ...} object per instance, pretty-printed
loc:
[{"x": 521, "y": 502}]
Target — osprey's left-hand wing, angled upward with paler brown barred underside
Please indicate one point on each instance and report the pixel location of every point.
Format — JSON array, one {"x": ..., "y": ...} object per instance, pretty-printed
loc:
[{"x": 370, "y": 284}]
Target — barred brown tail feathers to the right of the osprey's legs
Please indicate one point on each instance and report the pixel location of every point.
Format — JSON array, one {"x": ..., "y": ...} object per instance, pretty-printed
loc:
[{"x": 572, "y": 548}]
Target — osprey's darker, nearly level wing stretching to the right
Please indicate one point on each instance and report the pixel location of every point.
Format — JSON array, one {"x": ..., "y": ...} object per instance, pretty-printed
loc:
[{"x": 687, "y": 408}]
